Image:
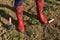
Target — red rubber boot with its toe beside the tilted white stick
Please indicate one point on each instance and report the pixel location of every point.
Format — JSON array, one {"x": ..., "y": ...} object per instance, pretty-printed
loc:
[{"x": 39, "y": 4}]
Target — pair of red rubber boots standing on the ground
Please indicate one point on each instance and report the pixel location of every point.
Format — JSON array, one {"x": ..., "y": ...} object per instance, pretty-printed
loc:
[{"x": 39, "y": 4}]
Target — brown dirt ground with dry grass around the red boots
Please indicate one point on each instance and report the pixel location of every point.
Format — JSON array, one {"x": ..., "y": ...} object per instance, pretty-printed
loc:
[{"x": 40, "y": 31}]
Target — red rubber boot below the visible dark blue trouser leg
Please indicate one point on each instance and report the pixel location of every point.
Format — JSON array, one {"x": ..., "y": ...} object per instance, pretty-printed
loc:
[{"x": 19, "y": 17}]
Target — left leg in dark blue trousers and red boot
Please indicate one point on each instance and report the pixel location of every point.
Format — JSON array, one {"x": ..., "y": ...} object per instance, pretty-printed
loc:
[{"x": 19, "y": 9}]
